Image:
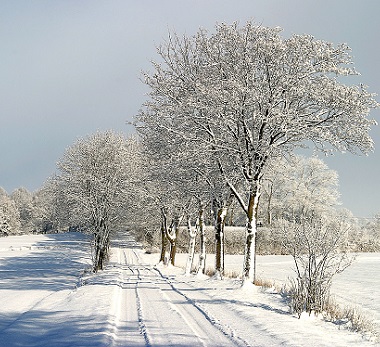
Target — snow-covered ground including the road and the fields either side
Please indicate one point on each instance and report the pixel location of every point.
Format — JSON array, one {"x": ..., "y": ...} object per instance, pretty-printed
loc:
[{"x": 47, "y": 299}]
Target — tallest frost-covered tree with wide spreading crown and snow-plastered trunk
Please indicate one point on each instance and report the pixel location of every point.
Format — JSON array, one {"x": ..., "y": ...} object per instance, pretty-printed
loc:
[{"x": 249, "y": 95}]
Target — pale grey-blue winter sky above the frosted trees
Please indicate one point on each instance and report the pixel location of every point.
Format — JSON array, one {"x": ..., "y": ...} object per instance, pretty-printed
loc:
[{"x": 70, "y": 68}]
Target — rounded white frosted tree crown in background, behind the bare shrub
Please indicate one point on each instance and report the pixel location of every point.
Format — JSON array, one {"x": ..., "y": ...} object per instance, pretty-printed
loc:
[{"x": 298, "y": 186}]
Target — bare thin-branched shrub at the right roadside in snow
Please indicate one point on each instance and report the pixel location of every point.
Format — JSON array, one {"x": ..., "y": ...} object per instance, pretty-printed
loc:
[{"x": 317, "y": 246}]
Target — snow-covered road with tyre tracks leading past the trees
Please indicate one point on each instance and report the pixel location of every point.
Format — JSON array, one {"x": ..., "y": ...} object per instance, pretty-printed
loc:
[{"x": 146, "y": 303}]
